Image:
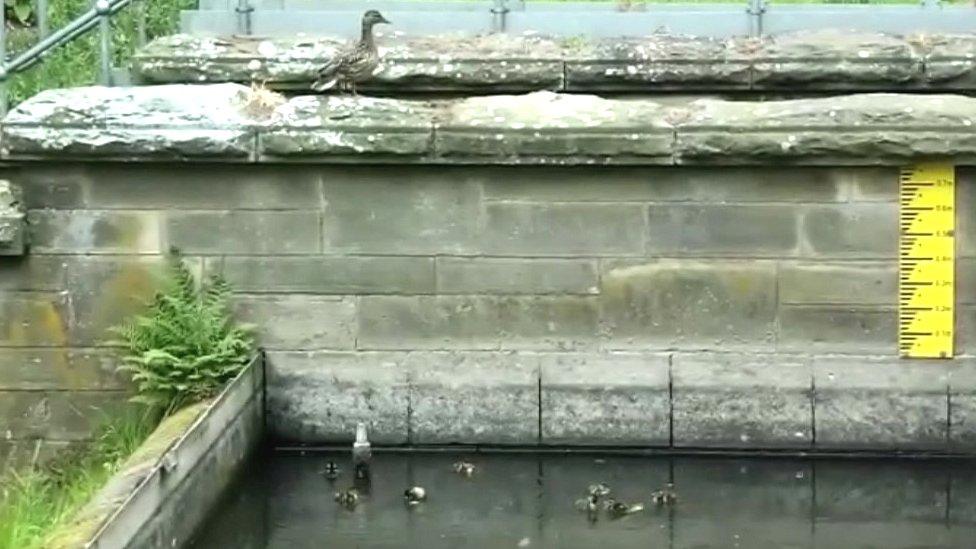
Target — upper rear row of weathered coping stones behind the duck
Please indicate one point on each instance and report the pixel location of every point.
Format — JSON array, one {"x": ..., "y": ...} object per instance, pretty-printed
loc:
[{"x": 804, "y": 62}]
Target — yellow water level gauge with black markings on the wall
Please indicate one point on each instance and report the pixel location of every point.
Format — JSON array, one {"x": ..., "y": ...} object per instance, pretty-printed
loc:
[{"x": 926, "y": 261}]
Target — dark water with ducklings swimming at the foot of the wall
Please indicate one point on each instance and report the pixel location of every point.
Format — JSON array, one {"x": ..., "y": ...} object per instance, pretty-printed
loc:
[{"x": 526, "y": 500}]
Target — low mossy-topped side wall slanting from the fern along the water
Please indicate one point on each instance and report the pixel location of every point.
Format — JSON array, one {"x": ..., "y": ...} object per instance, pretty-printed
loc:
[{"x": 166, "y": 488}]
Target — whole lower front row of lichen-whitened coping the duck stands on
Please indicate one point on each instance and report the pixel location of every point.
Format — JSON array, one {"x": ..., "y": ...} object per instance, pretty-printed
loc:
[{"x": 220, "y": 122}]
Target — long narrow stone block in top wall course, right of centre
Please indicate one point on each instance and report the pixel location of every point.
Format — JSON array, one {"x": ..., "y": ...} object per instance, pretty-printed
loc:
[{"x": 665, "y": 184}]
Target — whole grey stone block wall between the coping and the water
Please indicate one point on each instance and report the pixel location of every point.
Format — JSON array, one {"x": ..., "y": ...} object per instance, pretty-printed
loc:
[{"x": 693, "y": 306}]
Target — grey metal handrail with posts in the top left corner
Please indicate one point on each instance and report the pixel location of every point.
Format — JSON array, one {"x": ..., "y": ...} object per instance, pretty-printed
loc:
[{"x": 99, "y": 15}]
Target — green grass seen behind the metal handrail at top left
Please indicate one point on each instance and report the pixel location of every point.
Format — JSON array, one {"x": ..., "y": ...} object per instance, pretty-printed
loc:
[{"x": 77, "y": 63}]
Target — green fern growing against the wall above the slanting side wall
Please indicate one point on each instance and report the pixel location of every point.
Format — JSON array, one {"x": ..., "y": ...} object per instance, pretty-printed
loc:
[{"x": 186, "y": 346}]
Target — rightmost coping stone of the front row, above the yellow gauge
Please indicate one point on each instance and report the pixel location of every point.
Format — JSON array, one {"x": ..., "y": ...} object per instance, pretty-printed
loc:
[{"x": 864, "y": 129}]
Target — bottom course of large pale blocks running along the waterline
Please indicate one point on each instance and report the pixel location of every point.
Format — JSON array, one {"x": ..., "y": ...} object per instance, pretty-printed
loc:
[{"x": 704, "y": 400}]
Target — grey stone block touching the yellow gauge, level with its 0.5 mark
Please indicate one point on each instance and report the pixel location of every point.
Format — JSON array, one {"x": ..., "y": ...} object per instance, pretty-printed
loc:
[{"x": 853, "y": 230}]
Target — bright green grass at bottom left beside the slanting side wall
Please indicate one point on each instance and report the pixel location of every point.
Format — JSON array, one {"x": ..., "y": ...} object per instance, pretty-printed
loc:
[{"x": 34, "y": 502}]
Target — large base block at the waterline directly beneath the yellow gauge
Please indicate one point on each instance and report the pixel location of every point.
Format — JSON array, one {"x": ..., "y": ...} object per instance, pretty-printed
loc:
[{"x": 880, "y": 403}]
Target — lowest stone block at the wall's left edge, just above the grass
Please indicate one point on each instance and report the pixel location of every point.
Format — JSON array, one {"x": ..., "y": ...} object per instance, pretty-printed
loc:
[{"x": 61, "y": 415}]
